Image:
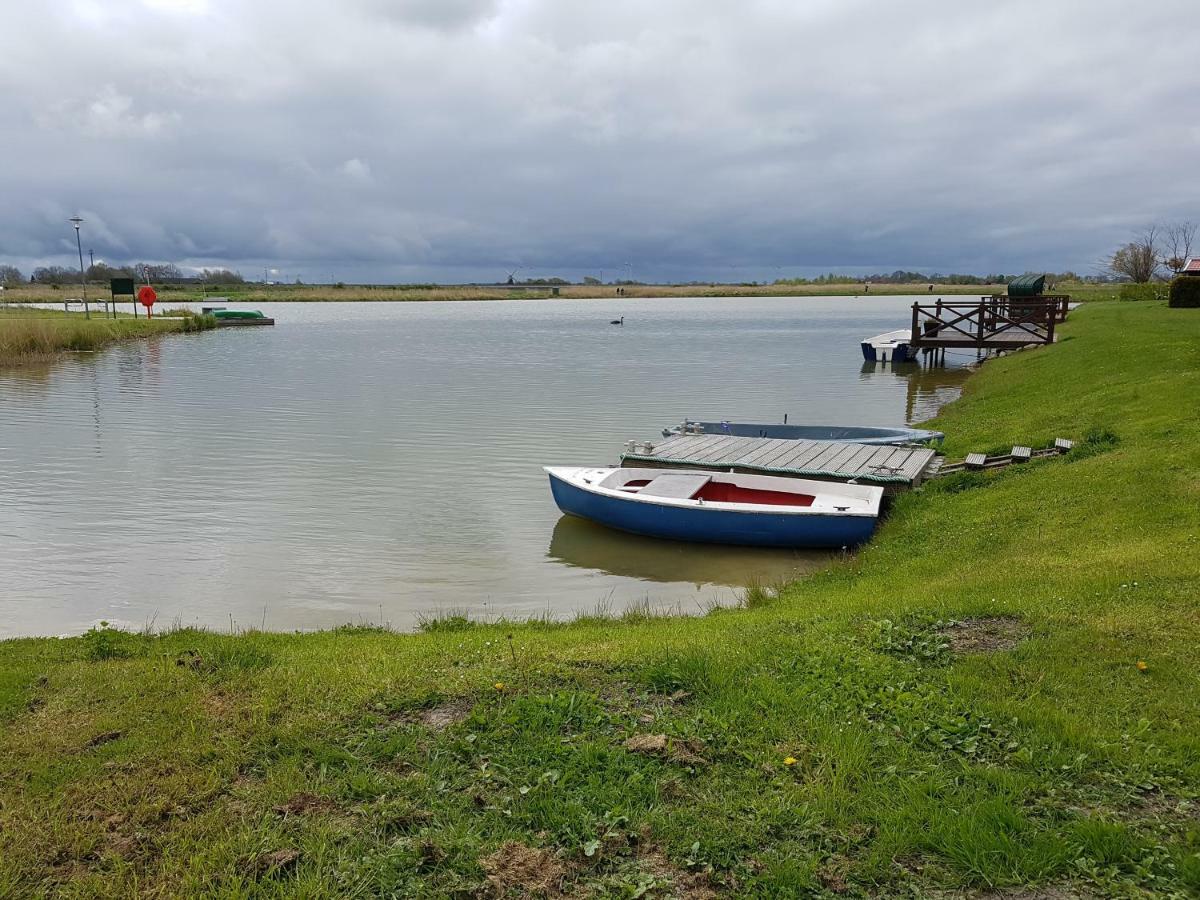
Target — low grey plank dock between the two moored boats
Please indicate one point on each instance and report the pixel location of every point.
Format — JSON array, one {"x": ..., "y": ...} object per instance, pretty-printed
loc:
[{"x": 895, "y": 469}]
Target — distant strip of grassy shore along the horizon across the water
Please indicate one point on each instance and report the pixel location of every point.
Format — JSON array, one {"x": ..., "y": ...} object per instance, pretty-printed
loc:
[{"x": 326, "y": 293}]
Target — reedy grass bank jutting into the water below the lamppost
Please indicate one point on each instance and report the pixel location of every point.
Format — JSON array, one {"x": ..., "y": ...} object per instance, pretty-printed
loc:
[{"x": 39, "y": 335}]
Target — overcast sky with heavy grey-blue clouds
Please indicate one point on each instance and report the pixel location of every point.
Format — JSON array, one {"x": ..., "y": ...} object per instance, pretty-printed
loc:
[{"x": 457, "y": 140}]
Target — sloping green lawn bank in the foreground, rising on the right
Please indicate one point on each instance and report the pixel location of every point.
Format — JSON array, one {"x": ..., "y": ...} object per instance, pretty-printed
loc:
[{"x": 1000, "y": 692}]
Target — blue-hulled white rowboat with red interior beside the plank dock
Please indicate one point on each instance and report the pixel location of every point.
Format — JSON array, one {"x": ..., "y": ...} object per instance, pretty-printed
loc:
[{"x": 719, "y": 507}]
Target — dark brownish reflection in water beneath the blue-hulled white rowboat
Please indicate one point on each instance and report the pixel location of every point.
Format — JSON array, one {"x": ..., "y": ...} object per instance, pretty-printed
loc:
[{"x": 586, "y": 545}]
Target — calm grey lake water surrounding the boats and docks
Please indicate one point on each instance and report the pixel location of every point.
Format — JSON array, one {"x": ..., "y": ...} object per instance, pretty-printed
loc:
[{"x": 381, "y": 463}]
